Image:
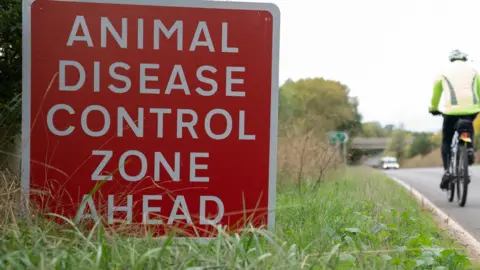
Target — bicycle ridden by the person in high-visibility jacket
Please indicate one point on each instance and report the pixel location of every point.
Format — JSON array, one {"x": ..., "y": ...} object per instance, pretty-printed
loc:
[{"x": 458, "y": 160}]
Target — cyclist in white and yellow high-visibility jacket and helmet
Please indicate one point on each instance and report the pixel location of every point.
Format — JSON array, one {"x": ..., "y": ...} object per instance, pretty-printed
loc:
[{"x": 461, "y": 99}]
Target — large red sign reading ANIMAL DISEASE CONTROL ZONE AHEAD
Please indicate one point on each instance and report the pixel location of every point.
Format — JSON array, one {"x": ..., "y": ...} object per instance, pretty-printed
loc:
[{"x": 152, "y": 113}]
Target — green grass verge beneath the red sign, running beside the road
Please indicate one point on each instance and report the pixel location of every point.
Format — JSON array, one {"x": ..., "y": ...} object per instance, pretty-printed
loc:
[{"x": 356, "y": 220}]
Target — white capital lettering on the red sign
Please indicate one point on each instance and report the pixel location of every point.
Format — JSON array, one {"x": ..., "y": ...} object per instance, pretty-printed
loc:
[{"x": 187, "y": 121}]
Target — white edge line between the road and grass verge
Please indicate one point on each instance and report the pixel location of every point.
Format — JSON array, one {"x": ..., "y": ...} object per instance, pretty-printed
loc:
[{"x": 459, "y": 233}]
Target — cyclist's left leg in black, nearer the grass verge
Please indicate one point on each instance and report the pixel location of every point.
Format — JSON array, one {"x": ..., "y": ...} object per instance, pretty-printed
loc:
[{"x": 448, "y": 130}]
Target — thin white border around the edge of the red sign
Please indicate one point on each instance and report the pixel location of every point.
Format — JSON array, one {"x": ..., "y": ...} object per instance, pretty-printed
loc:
[{"x": 26, "y": 83}]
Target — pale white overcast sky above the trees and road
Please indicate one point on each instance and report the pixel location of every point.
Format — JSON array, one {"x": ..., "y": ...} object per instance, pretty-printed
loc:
[{"x": 388, "y": 52}]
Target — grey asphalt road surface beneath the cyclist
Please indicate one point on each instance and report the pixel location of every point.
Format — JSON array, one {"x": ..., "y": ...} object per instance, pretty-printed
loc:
[{"x": 427, "y": 182}]
